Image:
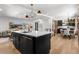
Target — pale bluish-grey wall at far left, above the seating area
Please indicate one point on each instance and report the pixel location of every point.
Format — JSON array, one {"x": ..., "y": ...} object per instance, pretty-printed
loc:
[{"x": 4, "y": 22}]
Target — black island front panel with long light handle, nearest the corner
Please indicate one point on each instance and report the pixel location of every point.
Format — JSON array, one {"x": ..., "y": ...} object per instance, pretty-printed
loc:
[{"x": 26, "y": 45}]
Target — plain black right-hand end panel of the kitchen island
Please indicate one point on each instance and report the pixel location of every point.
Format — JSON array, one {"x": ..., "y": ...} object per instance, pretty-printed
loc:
[{"x": 43, "y": 44}]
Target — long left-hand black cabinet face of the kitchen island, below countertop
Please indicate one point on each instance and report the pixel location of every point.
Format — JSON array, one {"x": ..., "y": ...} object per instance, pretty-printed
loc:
[{"x": 23, "y": 43}]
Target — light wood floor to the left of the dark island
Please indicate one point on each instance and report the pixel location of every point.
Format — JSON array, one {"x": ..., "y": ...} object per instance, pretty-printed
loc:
[{"x": 7, "y": 47}]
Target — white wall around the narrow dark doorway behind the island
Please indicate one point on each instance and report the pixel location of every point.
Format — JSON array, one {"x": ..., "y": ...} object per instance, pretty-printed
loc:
[{"x": 43, "y": 22}]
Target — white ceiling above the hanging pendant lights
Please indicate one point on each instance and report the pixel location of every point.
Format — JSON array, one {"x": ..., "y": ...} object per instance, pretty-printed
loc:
[{"x": 53, "y": 10}]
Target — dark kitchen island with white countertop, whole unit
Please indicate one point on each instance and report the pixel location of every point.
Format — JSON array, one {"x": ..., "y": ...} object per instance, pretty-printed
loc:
[{"x": 34, "y": 42}]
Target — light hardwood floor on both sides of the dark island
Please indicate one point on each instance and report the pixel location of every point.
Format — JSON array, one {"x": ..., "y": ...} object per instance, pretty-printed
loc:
[{"x": 59, "y": 45}]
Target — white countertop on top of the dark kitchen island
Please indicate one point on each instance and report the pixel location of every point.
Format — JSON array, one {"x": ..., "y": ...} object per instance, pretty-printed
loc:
[{"x": 34, "y": 33}]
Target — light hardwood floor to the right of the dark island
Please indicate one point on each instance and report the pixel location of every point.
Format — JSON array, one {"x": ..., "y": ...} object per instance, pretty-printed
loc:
[{"x": 60, "y": 45}]
